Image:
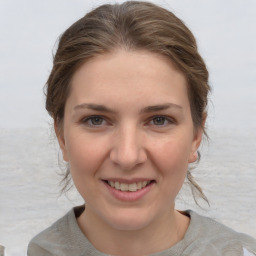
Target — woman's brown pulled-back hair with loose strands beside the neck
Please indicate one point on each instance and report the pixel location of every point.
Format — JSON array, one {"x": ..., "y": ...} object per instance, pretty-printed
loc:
[{"x": 132, "y": 25}]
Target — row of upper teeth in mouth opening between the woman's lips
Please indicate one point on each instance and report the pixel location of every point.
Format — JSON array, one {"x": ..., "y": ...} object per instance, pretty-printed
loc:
[{"x": 132, "y": 187}]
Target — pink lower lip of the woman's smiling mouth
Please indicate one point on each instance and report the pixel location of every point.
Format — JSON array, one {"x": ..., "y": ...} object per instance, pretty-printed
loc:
[{"x": 128, "y": 195}]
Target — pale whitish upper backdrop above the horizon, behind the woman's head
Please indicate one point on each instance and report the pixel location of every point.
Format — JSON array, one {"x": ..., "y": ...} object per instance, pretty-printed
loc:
[{"x": 226, "y": 36}]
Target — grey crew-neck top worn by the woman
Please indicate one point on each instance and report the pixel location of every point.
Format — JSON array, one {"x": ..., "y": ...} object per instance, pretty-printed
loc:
[{"x": 204, "y": 236}]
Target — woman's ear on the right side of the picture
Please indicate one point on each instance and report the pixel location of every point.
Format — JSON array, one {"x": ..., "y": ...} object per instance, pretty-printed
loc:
[{"x": 197, "y": 140}]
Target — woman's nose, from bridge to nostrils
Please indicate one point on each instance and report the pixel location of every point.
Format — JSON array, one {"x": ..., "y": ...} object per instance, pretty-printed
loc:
[{"x": 127, "y": 149}]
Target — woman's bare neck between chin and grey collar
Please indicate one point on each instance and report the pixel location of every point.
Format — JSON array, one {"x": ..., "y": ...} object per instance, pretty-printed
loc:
[{"x": 162, "y": 234}]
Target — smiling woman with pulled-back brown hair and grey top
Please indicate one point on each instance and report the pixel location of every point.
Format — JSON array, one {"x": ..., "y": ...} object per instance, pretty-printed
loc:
[{"x": 128, "y": 95}]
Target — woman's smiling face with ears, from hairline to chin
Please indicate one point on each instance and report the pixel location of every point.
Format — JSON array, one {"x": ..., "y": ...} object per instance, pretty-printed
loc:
[{"x": 128, "y": 136}]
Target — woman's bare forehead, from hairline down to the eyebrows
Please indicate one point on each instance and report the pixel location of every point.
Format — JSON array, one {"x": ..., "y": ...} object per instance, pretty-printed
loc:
[{"x": 129, "y": 76}]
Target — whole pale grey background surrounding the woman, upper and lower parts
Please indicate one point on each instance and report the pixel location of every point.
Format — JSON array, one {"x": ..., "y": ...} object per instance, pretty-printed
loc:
[{"x": 226, "y": 36}]
